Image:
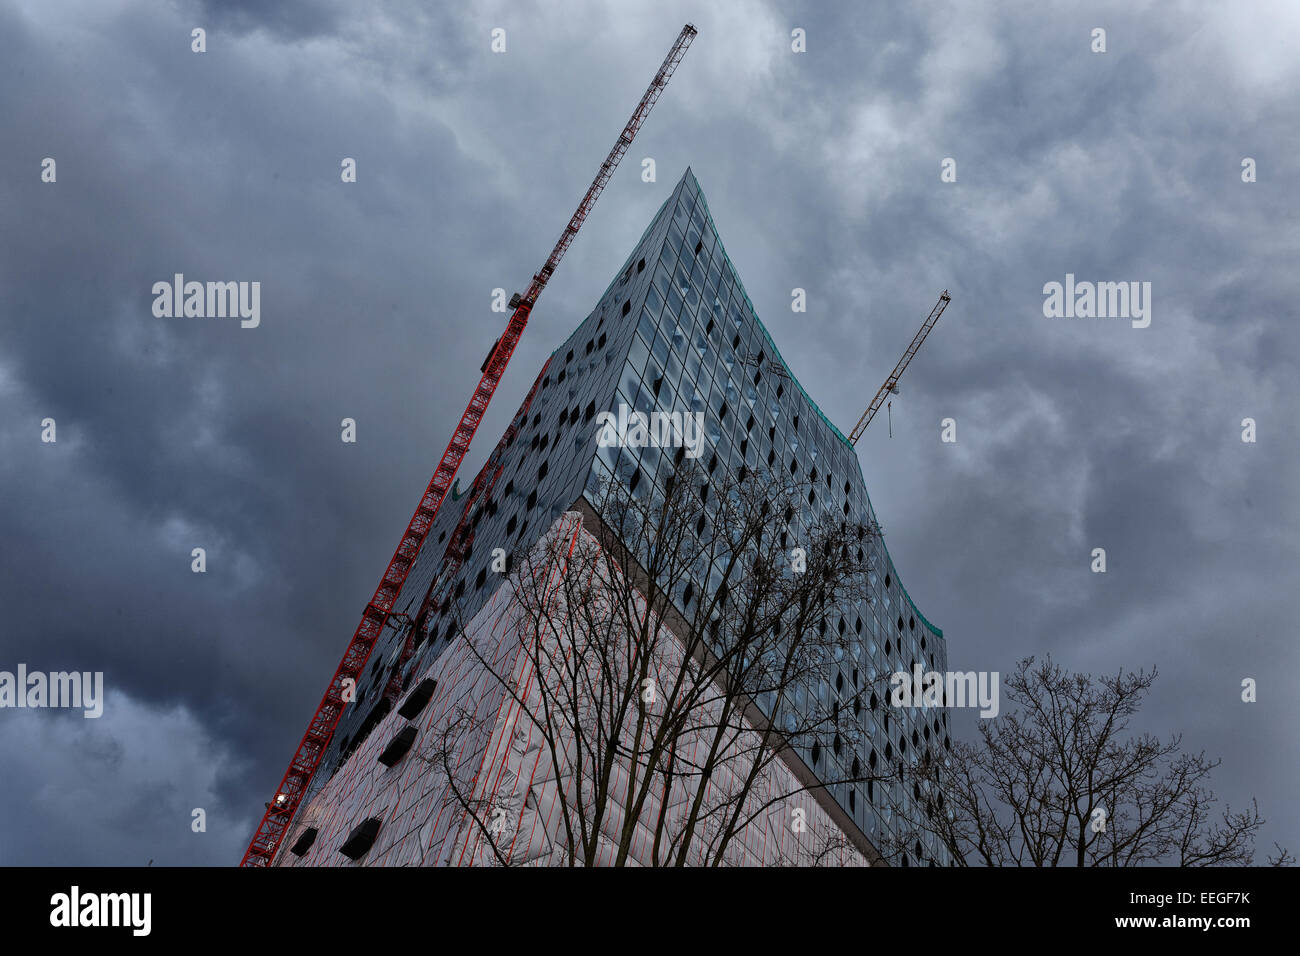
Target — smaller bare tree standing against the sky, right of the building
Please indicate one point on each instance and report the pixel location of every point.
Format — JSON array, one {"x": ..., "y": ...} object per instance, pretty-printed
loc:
[{"x": 1058, "y": 781}]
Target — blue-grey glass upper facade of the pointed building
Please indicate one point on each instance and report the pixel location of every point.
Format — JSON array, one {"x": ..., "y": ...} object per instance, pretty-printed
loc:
[{"x": 675, "y": 331}]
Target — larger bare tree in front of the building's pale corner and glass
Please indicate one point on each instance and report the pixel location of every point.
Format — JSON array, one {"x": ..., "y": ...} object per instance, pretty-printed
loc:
[{"x": 669, "y": 660}]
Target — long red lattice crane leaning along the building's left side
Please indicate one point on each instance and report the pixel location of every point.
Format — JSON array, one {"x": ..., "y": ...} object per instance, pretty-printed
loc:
[{"x": 302, "y": 769}]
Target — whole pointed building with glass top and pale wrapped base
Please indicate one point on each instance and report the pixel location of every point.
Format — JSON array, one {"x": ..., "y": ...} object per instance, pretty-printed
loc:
[{"x": 674, "y": 331}]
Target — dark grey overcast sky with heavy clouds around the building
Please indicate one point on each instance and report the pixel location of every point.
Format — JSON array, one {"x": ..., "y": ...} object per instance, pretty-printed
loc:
[{"x": 822, "y": 171}]
